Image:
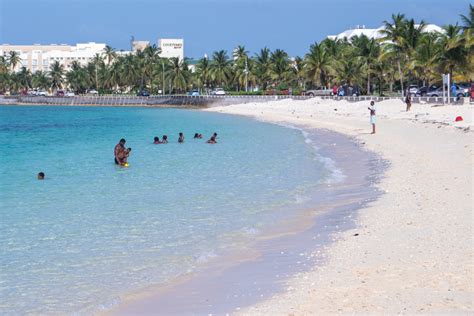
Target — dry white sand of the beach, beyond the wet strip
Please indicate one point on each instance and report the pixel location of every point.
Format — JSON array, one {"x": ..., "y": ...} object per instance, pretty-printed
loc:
[{"x": 414, "y": 251}]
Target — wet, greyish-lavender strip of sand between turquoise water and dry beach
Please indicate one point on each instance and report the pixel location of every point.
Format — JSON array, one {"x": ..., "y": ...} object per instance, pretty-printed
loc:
[{"x": 285, "y": 242}]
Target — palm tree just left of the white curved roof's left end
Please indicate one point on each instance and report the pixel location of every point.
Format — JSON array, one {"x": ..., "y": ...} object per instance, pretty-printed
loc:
[{"x": 317, "y": 63}]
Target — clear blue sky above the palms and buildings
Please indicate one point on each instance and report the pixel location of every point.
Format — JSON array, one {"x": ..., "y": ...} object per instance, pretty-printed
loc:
[{"x": 208, "y": 25}]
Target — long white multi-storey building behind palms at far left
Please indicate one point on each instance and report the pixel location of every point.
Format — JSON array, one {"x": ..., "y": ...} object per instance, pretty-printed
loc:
[{"x": 40, "y": 57}]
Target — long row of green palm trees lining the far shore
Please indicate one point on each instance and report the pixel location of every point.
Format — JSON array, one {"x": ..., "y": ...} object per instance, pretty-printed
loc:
[{"x": 406, "y": 54}]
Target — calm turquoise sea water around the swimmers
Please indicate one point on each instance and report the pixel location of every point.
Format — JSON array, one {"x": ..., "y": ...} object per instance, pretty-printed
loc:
[{"x": 92, "y": 232}]
